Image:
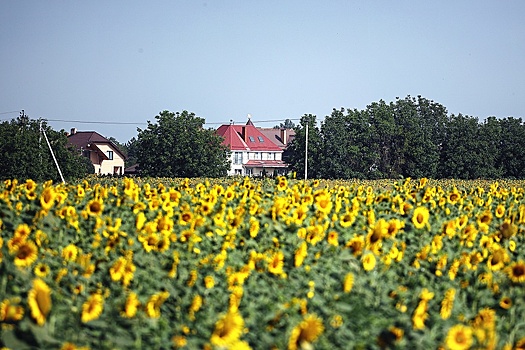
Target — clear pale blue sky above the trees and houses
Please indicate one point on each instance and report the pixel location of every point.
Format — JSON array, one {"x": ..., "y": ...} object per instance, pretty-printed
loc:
[{"x": 125, "y": 61}]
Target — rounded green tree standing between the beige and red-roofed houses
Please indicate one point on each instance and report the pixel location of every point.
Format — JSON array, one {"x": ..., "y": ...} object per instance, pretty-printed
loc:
[{"x": 177, "y": 145}]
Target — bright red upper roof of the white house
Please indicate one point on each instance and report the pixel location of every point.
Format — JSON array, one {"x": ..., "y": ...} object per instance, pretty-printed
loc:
[{"x": 246, "y": 138}]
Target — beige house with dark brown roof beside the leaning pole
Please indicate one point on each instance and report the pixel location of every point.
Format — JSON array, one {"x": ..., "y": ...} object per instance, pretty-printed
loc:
[{"x": 105, "y": 155}]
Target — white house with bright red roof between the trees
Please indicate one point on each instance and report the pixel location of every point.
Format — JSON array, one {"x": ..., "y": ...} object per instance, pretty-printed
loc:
[{"x": 252, "y": 152}]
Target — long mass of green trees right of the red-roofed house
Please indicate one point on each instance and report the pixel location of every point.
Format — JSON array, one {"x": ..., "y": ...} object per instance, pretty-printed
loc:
[{"x": 410, "y": 137}]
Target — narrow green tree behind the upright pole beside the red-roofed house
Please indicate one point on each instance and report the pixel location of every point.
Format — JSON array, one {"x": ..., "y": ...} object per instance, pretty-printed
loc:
[{"x": 297, "y": 148}]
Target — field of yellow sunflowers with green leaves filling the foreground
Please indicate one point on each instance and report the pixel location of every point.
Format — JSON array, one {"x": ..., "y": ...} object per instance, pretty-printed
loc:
[{"x": 244, "y": 263}]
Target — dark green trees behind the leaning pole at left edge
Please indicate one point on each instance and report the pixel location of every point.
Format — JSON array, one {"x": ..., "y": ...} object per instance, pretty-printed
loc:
[{"x": 24, "y": 153}]
